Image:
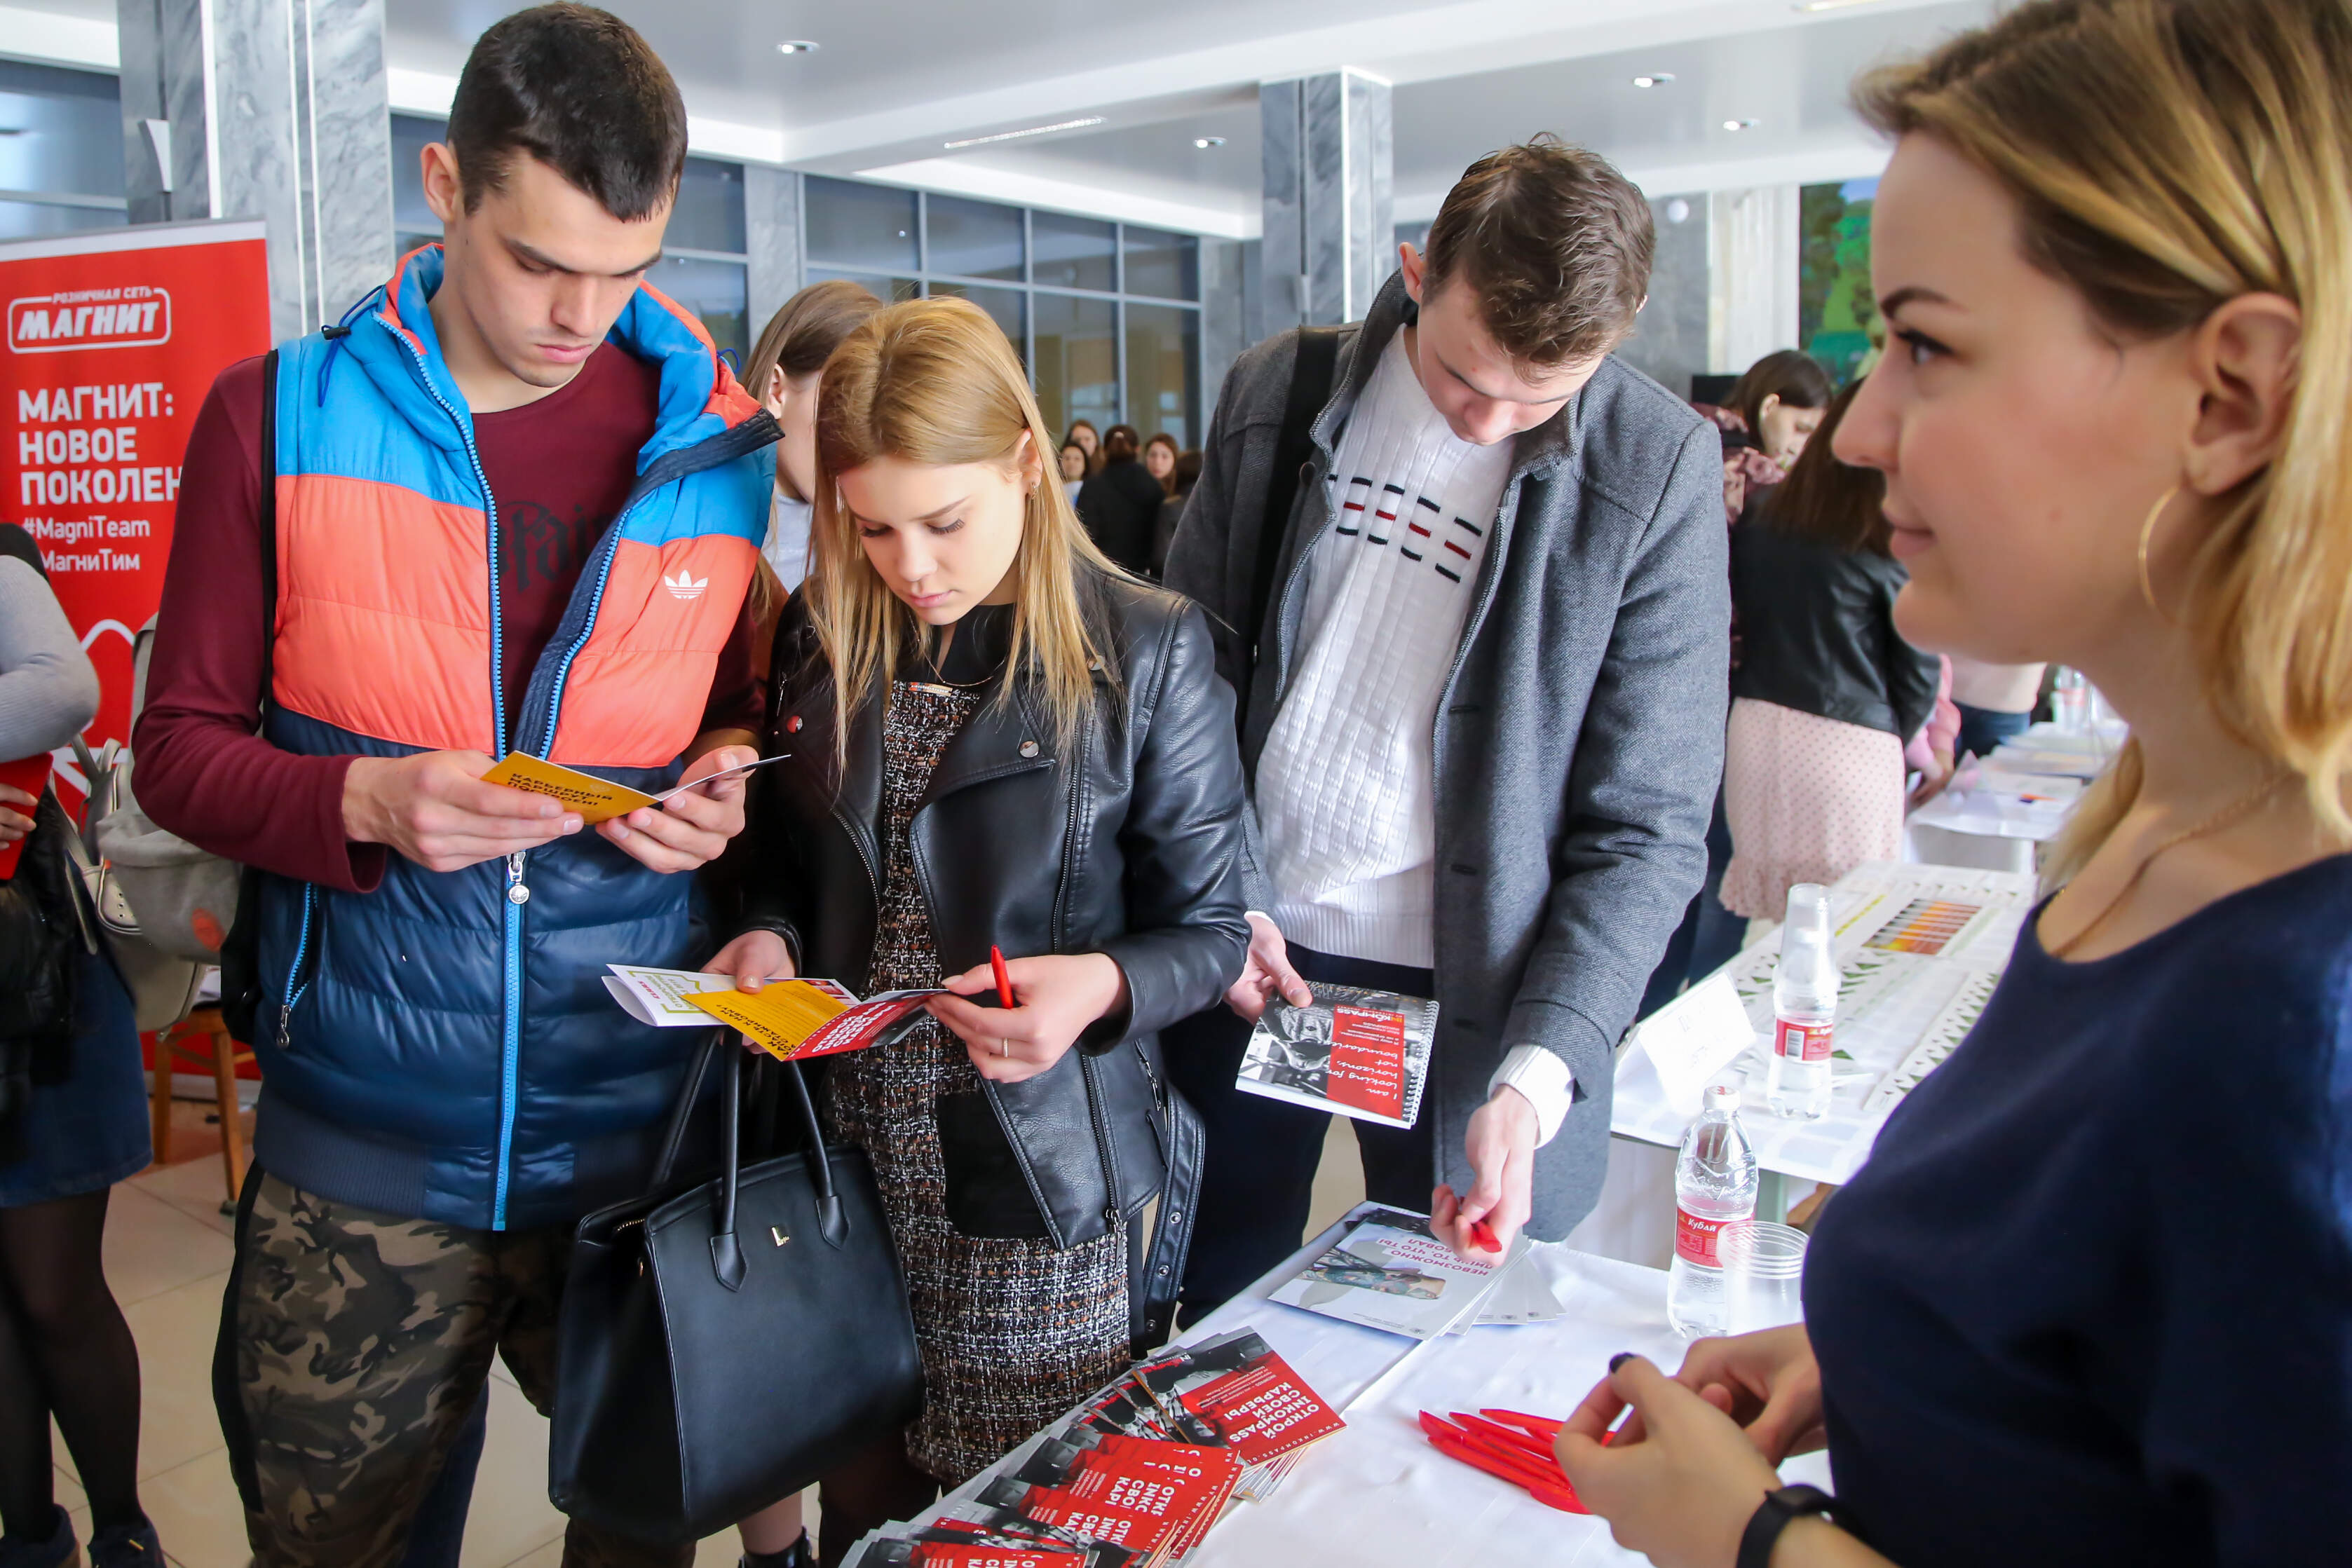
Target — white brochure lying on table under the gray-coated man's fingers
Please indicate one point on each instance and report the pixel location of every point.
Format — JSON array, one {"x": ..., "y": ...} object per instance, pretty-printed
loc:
[{"x": 1391, "y": 1273}]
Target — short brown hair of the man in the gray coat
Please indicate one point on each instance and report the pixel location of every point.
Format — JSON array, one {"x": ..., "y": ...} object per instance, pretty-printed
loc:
[{"x": 1556, "y": 246}]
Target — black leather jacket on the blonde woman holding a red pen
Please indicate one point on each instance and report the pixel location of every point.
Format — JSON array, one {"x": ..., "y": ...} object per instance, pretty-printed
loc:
[{"x": 1132, "y": 852}]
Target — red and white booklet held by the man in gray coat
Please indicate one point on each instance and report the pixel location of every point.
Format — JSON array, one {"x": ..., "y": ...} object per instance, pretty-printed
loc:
[{"x": 1356, "y": 1052}]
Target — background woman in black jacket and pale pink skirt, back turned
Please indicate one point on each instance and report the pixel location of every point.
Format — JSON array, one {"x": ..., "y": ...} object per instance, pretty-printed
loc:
[{"x": 1826, "y": 690}]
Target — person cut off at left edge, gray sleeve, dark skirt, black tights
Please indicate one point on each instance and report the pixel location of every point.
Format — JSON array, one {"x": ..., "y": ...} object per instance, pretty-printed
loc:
[{"x": 74, "y": 1123}]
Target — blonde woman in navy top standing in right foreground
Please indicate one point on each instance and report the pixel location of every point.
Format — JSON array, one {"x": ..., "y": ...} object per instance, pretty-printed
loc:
[{"x": 2092, "y": 1296}]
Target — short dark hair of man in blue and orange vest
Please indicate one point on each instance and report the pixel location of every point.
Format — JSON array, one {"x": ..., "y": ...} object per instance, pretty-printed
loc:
[{"x": 577, "y": 91}]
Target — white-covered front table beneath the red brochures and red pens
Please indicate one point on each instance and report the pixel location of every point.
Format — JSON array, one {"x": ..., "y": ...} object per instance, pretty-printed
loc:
[{"x": 1377, "y": 1494}]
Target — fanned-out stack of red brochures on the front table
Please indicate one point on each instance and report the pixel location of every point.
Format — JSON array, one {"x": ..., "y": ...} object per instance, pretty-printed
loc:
[{"x": 1137, "y": 1475}]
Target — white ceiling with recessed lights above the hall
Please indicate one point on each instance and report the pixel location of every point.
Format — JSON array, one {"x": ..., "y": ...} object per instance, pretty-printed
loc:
[{"x": 900, "y": 79}]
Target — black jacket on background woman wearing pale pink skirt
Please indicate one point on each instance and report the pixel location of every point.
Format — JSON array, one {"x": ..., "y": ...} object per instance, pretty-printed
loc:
[{"x": 1819, "y": 636}]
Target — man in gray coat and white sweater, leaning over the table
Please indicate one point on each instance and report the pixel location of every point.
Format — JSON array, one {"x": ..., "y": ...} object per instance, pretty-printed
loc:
[{"x": 1483, "y": 674}]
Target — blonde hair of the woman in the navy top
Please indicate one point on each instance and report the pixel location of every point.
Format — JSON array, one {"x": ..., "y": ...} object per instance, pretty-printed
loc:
[{"x": 2172, "y": 156}]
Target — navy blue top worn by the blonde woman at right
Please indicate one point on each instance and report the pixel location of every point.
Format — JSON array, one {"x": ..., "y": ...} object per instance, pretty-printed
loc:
[{"x": 2092, "y": 1296}]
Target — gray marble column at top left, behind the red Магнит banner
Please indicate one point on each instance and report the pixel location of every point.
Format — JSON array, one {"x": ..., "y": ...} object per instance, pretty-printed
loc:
[{"x": 267, "y": 109}]
